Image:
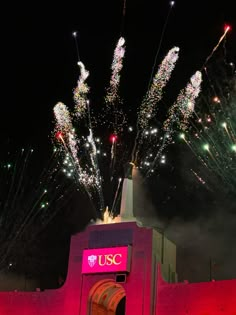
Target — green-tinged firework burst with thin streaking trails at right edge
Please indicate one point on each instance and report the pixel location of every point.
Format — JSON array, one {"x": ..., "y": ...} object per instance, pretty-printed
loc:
[{"x": 212, "y": 136}]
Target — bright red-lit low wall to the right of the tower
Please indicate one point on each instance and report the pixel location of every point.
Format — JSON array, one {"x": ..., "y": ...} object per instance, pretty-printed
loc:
[{"x": 204, "y": 298}]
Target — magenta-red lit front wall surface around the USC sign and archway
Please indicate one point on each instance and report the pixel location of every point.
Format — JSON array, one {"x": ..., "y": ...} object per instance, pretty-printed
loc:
[{"x": 209, "y": 298}]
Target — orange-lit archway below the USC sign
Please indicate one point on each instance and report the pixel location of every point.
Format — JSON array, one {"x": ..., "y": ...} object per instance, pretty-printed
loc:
[{"x": 106, "y": 298}]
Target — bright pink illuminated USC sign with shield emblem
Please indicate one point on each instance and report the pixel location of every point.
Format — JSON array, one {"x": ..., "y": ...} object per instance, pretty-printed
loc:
[{"x": 101, "y": 260}]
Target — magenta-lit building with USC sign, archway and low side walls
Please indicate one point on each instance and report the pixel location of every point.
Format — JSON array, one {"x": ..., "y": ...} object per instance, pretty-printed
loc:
[{"x": 122, "y": 268}]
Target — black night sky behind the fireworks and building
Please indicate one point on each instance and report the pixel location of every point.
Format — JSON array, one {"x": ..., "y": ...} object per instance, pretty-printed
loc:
[{"x": 39, "y": 68}]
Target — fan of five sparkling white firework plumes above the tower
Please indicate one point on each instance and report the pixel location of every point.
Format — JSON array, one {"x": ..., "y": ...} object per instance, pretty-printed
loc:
[{"x": 97, "y": 164}]
